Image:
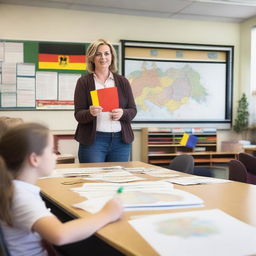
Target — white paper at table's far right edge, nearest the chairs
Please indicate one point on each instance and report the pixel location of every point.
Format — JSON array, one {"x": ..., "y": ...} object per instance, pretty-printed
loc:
[{"x": 193, "y": 180}]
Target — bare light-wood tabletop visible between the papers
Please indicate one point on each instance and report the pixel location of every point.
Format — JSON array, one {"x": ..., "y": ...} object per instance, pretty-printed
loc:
[{"x": 234, "y": 198}]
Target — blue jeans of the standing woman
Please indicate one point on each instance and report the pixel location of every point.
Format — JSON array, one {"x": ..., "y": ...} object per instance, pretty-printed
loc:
[{"x": 107, "y": 147}]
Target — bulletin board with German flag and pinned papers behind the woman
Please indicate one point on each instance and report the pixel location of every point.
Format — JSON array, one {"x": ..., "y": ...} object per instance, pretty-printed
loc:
[{"x": 41, "y": 75}]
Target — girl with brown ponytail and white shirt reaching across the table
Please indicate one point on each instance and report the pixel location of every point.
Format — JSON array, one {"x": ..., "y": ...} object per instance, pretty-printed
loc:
[{"x": 26, "y": 153}]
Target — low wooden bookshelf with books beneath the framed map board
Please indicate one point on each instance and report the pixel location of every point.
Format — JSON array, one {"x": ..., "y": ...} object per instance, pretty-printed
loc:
[{"x": 160, "y": 146}]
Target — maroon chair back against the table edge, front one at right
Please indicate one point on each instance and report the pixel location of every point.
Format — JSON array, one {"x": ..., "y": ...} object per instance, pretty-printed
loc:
[{"x": 237, "y": 171}]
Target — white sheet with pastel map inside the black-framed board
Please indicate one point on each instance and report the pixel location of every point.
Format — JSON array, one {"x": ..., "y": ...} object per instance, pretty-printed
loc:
[{"x": 164, "y": 90}]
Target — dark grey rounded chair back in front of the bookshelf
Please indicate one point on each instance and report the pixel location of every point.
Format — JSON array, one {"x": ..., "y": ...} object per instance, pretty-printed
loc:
[{"x": 182, "y": 163}]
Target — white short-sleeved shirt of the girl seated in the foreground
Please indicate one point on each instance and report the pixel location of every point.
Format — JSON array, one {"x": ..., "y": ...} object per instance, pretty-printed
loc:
[{"x": 27, "y": 208}]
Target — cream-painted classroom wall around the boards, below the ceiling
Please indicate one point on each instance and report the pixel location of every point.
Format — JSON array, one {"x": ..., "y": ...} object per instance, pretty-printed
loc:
[{"x": 36, "y": 23}]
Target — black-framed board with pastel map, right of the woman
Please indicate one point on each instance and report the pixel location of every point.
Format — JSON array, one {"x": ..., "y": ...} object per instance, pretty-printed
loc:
[{"x": 180, "y": 83}]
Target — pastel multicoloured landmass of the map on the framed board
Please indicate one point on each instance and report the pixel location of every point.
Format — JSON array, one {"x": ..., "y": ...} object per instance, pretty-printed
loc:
[{"x": 172, "y": 87}]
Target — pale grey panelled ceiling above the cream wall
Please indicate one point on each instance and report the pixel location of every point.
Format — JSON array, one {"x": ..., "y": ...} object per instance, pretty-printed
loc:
[{"x": 213, "y": 10}]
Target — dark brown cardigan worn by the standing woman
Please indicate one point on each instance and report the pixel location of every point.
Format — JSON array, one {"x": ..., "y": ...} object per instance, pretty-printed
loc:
[{"x": 86, "y": 128}]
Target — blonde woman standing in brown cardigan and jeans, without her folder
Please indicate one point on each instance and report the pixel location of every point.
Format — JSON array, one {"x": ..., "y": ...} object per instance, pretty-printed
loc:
[{"x": 103, "y": 136}]
